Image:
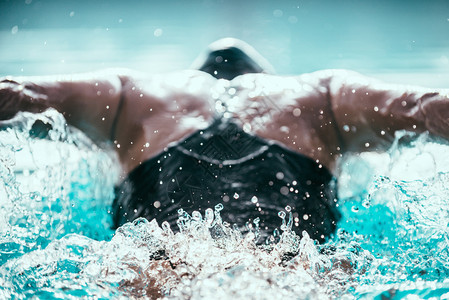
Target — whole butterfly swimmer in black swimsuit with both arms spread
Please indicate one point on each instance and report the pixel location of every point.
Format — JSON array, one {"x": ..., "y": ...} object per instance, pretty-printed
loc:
[{"x": 232, "y": 133}]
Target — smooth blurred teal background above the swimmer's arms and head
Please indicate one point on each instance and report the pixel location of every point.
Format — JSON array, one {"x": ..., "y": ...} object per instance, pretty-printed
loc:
[{"x": 400, "y": 41}]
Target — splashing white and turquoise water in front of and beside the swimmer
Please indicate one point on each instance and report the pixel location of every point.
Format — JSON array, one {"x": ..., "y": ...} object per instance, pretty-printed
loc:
[{"x": 55, "y": 241}]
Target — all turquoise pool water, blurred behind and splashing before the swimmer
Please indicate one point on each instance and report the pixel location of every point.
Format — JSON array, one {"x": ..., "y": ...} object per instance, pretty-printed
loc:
[{"x": 55, "y": 193}]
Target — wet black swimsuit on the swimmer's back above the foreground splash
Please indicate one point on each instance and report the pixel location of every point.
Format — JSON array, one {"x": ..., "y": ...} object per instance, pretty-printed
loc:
[{"x": 250, "y": 176}]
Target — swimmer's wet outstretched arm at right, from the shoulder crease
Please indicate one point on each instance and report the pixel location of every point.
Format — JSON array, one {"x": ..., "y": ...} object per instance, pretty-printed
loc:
[{"x": 369, "y": 112}]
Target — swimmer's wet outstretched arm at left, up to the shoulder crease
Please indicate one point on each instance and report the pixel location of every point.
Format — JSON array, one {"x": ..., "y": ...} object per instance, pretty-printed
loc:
[{"x": 87, "y": 101}]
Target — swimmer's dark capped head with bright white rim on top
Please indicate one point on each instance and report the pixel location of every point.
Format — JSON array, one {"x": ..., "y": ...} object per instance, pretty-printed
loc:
[{"x": 228, "y": 58}]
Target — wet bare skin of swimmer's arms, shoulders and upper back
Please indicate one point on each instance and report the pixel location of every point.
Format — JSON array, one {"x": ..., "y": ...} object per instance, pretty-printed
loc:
[{"x": 322, "y": 114}]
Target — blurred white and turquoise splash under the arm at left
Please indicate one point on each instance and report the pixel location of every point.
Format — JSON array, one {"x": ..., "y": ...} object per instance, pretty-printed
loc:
[{"x": 48, "y": 184}]
